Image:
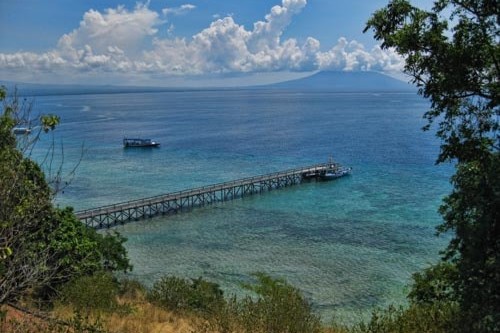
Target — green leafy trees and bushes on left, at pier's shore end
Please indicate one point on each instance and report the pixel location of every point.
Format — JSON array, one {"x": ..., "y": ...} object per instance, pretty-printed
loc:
[{"x": 42, "y": 246}]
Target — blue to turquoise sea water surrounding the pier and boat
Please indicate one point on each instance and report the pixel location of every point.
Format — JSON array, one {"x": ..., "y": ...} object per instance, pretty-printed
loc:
[{"x": 349, "y": 245}]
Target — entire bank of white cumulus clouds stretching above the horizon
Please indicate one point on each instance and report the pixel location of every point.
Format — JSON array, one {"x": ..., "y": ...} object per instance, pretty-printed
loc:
[{"x": 123, "y": 41}]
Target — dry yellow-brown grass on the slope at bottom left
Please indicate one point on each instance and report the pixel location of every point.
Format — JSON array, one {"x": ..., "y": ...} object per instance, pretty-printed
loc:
[{"x": 135, "y": 314}]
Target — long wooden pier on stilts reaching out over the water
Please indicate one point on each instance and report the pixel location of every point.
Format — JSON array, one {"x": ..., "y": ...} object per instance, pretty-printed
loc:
[{"x": 121, "y": 213}]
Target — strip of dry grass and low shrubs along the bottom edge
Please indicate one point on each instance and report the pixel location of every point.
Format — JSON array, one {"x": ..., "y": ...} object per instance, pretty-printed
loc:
[{"x": 188, "y": 306}]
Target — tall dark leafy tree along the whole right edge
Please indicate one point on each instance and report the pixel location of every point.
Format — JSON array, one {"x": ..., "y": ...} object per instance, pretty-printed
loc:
[{"x": 452, "y": 55}]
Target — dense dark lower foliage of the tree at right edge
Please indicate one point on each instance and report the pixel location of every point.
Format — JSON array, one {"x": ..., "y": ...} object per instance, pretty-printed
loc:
[{"x": 473, "y": 211}]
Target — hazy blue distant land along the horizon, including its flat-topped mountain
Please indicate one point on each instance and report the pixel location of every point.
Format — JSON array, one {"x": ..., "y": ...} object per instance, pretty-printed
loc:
[{"x": 334, "y": 81}]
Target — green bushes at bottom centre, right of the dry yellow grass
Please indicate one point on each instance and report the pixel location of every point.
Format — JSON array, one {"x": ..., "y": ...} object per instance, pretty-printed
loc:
[{"x": 275, "y": 306}]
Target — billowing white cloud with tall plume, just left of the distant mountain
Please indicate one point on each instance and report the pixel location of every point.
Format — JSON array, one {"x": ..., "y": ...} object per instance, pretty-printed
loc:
[{"x": 226, "y": 46}]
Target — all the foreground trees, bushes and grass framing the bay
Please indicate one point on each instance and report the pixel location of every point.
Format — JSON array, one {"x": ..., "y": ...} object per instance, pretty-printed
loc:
[{"x": 63, "y": 272}]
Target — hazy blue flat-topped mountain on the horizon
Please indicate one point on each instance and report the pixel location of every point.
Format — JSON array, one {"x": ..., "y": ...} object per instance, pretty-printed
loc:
[{"x": 346, "y": 82}]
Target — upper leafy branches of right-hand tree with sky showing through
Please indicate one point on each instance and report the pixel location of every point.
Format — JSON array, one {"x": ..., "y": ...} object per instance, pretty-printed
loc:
[{"x": 458, "y": 73}]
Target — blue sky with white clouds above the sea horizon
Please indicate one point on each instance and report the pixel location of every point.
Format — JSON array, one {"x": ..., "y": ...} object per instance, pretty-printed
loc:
[{"x": 187, "y": 42}]
